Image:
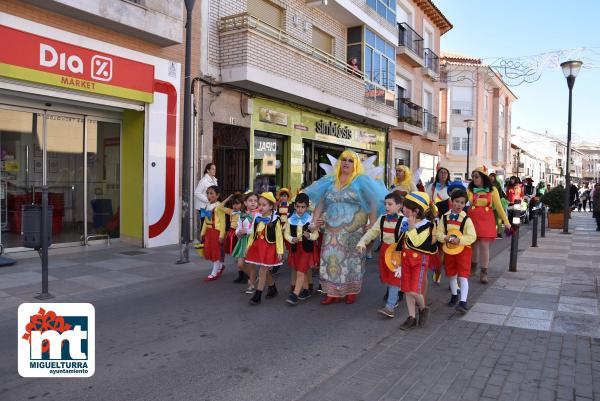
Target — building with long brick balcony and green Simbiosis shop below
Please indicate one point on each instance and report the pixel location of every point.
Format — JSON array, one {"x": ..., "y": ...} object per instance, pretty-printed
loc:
[{"x": 287, "y": 82}]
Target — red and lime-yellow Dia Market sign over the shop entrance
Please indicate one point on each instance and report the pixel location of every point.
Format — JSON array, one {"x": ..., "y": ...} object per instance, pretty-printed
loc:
[{"x": 34, "y": 58}]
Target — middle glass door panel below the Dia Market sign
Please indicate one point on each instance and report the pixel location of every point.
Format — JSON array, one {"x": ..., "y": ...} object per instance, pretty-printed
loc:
[{"x": 65, "y": 176}]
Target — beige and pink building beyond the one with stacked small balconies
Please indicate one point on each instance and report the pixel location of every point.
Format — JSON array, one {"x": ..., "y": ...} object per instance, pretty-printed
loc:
[{"x": 473, "y": 91}]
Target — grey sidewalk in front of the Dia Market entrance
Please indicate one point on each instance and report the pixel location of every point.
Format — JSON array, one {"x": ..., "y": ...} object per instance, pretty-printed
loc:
[{"x": 87, "y": 273}]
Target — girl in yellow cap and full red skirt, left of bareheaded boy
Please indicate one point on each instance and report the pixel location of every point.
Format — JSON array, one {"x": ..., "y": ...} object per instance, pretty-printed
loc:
[{"x": 265, "y": 246}]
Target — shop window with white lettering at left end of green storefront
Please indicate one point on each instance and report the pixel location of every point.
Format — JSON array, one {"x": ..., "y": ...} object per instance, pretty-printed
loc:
[{"x": 268, "y": 163}]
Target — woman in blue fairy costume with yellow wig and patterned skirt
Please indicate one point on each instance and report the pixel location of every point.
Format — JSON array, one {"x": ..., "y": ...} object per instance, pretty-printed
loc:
[{"x": 347, "y": 201}]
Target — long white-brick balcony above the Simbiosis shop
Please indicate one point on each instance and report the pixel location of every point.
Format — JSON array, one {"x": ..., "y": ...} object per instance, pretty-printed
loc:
[{"x": 259, "y": 57}]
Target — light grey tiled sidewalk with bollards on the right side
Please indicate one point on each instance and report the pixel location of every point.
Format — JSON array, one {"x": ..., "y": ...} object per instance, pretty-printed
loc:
[{"x": 487, "y": 354}]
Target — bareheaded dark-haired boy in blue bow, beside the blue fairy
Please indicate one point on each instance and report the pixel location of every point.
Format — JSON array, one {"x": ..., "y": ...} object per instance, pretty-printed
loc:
[{"x": 301, "y": 256}]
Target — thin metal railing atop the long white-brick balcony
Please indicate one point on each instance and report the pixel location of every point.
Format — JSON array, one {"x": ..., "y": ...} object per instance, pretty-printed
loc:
[{"x": 247, "y": 21}]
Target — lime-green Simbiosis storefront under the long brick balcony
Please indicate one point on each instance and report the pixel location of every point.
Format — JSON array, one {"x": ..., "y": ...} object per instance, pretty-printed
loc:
[{"x": 288, "y": 143}]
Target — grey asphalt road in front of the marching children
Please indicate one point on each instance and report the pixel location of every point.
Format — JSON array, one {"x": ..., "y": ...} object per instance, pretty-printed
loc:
[{"x": 182, "y": 339}]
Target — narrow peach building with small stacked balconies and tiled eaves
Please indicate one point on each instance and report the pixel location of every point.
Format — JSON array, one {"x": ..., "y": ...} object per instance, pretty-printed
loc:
[{"x": 414, "y": 139}]
